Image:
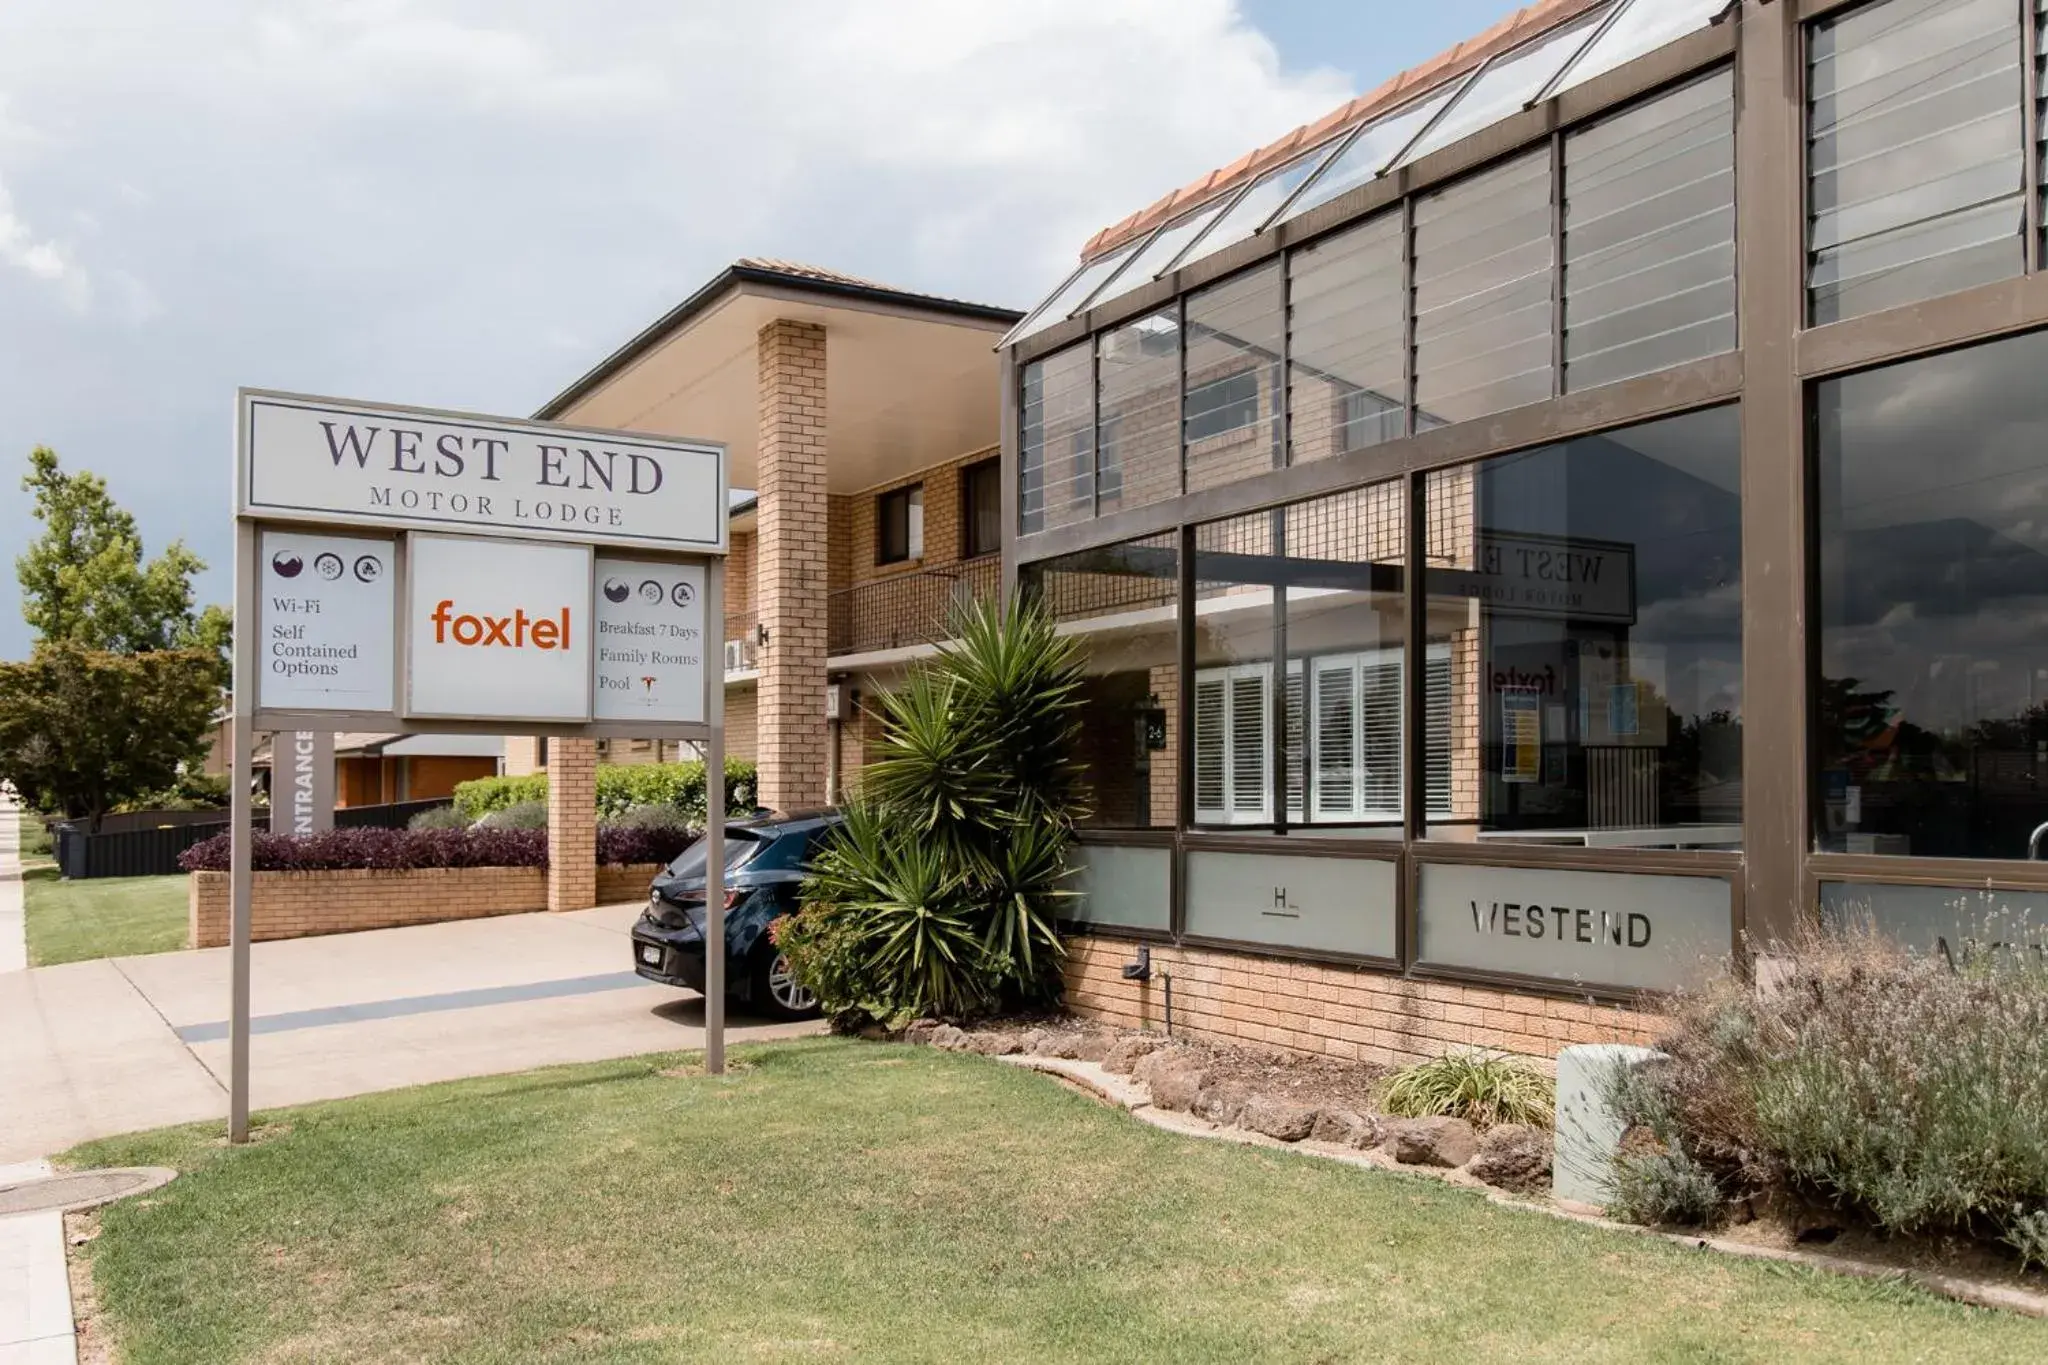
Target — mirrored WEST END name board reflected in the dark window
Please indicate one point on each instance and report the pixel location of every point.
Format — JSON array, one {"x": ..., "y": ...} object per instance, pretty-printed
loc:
[{"x": 1547, "y": 576}]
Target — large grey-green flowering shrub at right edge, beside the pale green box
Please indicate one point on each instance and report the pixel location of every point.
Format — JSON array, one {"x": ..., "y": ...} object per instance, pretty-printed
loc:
[{"x": 1900, "y": 1088}]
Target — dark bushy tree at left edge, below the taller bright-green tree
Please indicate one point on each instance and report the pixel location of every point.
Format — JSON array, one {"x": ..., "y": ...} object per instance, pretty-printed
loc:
[{"x": 85, "y": 730}]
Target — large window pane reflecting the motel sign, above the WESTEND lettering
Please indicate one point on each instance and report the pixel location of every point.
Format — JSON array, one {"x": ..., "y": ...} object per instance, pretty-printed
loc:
[{"x": 1588, "y": 601}]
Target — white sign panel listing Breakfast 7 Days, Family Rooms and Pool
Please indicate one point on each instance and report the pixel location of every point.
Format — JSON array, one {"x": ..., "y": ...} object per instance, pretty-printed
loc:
[{"x": 650, "y": 642}]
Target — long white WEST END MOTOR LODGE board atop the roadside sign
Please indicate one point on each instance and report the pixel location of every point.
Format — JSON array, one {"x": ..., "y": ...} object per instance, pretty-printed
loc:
[{"x": 310, "y": 459}]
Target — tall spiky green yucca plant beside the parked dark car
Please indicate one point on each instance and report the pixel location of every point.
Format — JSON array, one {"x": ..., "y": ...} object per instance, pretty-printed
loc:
[{"x": 941, "y": 891}]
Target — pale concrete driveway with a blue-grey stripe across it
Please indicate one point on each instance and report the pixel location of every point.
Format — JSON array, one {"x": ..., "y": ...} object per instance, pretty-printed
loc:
[{"x": 99, "y": 1049}]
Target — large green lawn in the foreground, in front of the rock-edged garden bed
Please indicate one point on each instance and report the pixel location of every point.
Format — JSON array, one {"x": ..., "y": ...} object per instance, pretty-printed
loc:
[{"x": 865, "y": 1202}]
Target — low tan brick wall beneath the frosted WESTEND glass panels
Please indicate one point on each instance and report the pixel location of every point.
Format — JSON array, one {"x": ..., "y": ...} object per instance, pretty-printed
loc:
[{"x": 1332, "y": 1010}]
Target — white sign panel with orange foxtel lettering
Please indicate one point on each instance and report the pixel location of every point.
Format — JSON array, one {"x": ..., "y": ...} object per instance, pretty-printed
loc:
[{"x": 497, "y": 629}]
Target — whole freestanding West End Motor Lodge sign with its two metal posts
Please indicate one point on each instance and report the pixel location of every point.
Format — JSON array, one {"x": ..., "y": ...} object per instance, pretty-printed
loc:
[{"x": 443, "y": 572}]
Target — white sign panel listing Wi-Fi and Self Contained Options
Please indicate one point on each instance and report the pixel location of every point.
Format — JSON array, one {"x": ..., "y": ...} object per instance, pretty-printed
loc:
[{"x": 325, "y": 623}]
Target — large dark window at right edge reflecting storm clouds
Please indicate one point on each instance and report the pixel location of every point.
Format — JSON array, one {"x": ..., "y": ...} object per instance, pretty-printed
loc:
[{"x": 1932, "y": 693}]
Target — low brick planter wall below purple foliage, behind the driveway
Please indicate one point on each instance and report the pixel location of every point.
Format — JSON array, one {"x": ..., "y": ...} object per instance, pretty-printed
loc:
[{"x": 290, "y": 906}]
